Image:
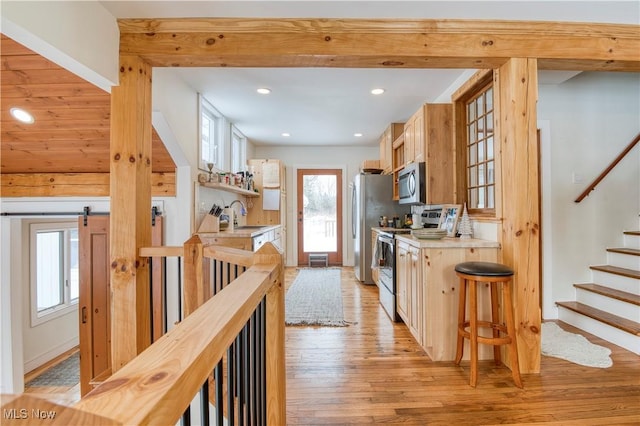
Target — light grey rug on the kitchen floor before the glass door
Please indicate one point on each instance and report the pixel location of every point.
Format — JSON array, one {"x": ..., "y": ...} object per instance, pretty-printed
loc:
[{"x": 315, "y": 298}]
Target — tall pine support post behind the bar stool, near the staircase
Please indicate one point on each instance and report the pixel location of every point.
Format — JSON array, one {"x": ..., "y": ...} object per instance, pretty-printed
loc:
[{"x": 517, "y": 88}]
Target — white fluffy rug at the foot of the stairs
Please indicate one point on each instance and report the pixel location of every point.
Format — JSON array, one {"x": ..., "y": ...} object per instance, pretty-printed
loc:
[{"x": 573, "y": 347}]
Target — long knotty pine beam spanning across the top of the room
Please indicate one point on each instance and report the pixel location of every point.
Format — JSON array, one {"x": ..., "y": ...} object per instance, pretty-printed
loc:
[{"x": 222, "y": 42}]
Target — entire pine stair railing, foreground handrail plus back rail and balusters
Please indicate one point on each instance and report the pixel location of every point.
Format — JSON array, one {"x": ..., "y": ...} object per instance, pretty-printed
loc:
[{"x": 158, "y": 386}]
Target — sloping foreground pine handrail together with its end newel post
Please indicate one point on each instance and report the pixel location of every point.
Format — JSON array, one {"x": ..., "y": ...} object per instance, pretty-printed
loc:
[{"x": 163, "y": 379}]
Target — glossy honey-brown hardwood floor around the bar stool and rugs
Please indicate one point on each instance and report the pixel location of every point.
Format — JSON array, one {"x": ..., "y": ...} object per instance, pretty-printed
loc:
[{"x": 374, "y": 372}]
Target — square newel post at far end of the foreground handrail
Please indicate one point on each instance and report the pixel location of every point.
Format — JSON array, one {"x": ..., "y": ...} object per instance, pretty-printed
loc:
[{"x": 275, "y": 356}]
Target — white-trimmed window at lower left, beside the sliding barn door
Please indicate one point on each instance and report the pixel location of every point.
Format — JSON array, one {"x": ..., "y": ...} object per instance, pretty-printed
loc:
[{"x": 54, "y": 270}]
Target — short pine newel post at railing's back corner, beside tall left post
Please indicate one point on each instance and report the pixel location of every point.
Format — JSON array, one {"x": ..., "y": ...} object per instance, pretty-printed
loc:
[{"x": 196, "y": 290}]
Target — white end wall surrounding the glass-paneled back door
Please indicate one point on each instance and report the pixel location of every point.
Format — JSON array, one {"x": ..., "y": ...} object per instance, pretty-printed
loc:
[{"x": 347, "y": 158}]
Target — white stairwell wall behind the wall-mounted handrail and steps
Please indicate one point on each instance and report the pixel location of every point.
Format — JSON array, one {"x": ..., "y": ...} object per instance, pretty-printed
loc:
[{"x": 591, "y": 117}]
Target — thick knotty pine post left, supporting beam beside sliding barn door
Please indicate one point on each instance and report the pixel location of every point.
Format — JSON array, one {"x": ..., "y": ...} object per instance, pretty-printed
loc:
[{"x": 130, "y": 225}]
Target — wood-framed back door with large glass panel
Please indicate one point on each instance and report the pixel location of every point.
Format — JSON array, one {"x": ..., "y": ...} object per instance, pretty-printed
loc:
[{"x": 319, "y": 214}]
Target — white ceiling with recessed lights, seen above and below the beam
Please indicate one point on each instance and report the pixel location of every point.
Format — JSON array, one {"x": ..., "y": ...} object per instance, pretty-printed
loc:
[{"x": 326, "y": 106}]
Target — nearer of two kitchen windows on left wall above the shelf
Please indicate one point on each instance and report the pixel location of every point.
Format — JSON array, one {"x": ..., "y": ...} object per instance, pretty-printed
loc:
[{"x": 211, "y": 136}]
